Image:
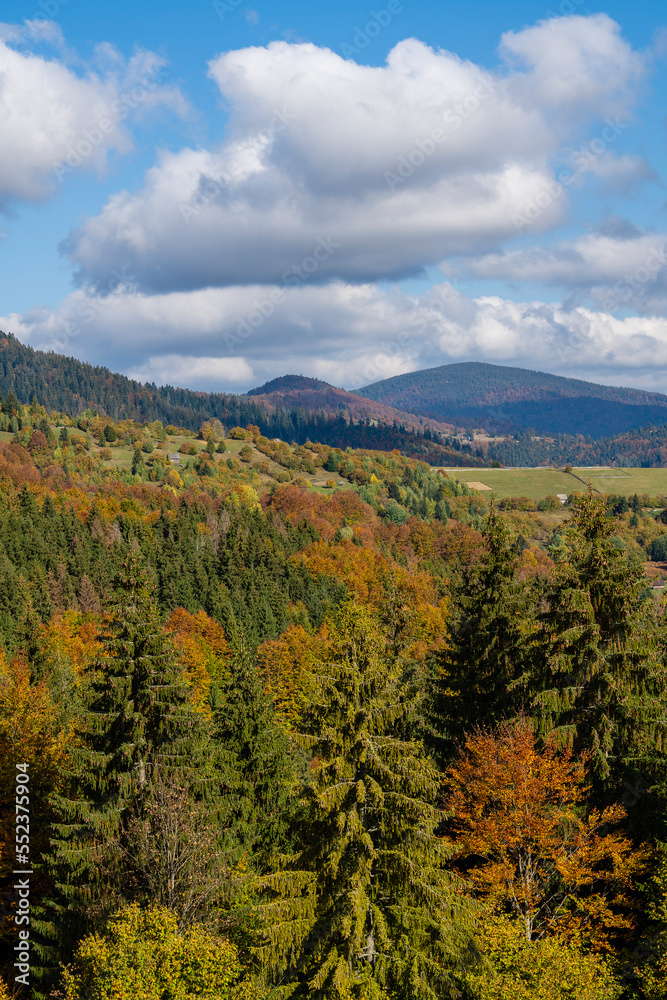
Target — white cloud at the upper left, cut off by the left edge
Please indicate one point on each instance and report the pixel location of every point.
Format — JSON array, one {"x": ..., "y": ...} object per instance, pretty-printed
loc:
[{"x": 53, "y": 121}]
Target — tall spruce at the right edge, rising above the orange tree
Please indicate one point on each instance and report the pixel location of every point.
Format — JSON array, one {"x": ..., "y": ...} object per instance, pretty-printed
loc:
[{"x": 597, "y": 681}]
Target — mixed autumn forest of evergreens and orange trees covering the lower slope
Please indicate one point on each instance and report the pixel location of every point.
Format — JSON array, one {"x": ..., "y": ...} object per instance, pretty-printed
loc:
[{"x": 295, "y": 721}]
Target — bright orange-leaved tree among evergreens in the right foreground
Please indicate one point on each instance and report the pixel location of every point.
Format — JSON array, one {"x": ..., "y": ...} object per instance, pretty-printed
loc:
[{"x": 526, "y": 845}]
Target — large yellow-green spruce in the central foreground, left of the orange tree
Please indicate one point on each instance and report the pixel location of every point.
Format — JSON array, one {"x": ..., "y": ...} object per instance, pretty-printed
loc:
[{"x": 365, "y": 900}]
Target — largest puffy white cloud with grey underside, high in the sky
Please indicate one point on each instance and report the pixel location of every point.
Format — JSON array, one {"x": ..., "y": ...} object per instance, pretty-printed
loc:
[{"x": 401, "y": 165}]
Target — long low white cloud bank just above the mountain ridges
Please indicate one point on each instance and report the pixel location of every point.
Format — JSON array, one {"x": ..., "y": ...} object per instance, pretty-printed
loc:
[{"x": 350, "y": 335}]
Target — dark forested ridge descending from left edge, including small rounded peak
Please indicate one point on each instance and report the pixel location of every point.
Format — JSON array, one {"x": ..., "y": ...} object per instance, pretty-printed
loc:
[{"x": 325, "y": 414}]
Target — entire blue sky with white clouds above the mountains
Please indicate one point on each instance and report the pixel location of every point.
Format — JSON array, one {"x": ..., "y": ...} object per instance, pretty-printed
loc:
[{"x": 217, "y": 194}]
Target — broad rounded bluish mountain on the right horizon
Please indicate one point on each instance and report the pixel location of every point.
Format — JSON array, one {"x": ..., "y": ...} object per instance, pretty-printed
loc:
[{"x": 503, "y": 399}]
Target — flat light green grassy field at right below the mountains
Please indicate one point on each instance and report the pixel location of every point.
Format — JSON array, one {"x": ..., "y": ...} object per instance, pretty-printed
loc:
[{"x": 537, "y": 483}]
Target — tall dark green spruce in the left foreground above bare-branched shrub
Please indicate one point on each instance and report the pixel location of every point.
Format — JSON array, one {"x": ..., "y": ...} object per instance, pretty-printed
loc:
[{"x": 137, "y": 733}]
